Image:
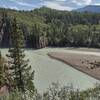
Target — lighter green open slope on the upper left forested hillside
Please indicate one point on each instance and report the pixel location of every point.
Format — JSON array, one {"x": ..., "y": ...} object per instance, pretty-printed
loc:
[{"x": 26, "y": 17}]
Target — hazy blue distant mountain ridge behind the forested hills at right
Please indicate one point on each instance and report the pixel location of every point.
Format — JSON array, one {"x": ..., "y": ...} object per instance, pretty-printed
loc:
[{"x": 90, "y": 8}]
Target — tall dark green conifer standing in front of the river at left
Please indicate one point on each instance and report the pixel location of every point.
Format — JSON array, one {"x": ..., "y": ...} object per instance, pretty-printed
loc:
[{"x": 21, "y": 72}]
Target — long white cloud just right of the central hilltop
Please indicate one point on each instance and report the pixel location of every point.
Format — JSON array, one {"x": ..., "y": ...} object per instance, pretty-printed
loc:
[{"x": 56, "y": 5}]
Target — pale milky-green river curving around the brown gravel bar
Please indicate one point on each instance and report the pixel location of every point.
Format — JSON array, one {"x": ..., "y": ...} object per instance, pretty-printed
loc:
[{"x": 48, "y": 70}]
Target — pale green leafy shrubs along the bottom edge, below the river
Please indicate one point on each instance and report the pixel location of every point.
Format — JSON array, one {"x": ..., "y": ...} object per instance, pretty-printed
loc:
[{"x": 55, "y": 92}]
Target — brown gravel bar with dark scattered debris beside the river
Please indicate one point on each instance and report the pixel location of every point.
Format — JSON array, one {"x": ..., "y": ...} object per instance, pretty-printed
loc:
[{"x": 86, "y": 62}]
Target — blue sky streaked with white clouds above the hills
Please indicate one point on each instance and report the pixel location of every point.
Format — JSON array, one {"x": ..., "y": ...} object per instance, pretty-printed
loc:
[{"x": 55, "y": 4}]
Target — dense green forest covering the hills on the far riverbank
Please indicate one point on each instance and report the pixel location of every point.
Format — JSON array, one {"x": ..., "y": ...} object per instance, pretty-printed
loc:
[{"x": 48, "y": 27}]
